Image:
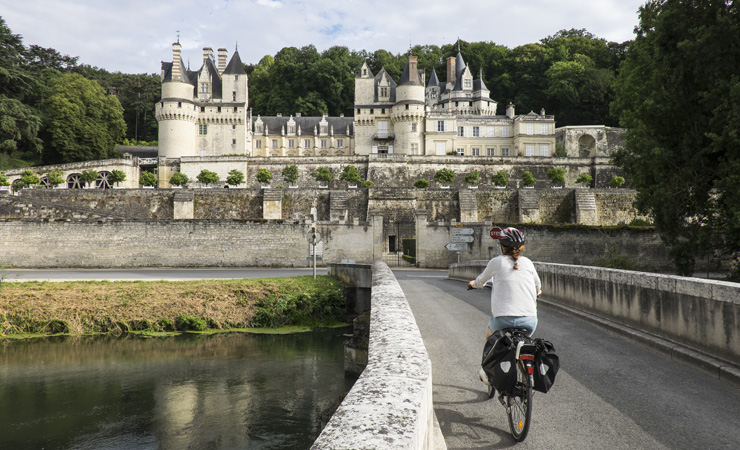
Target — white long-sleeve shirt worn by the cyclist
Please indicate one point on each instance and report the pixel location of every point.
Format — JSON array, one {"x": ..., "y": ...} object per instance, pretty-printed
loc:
[{"x": 514, "y": 292}]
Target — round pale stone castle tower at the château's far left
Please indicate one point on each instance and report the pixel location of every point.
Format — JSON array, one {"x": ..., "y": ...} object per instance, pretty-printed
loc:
[{"x": 176, "y": 111}]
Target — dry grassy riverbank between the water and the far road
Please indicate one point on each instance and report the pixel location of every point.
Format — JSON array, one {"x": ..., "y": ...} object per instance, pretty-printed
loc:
[{"x": 168, "y": 306}]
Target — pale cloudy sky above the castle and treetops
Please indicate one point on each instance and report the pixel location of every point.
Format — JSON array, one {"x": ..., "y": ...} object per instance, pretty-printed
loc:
[{"x": 134, "y": 36}]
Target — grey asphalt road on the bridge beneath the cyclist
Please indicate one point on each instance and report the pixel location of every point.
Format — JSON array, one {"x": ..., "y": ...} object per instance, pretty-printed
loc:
[{"x": 609, "y": 394}]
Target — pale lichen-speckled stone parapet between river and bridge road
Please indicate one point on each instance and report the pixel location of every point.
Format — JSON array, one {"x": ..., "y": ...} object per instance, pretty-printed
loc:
[{"x": 390, "y": 405}]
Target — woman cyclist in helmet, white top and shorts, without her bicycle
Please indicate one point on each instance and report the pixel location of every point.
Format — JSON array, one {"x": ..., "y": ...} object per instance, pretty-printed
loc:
[{"x": 515, "y": 287}]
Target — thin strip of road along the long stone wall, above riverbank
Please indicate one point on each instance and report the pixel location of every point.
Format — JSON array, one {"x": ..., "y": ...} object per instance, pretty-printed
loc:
[{"x": 150, "y": 274}]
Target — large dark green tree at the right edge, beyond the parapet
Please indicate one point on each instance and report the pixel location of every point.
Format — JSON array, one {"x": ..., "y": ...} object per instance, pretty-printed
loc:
[{"x": 678, "y": 95}]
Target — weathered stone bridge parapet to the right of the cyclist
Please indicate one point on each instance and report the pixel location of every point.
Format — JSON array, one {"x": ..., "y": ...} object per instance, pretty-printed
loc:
[{"x": 700, "y": 314}]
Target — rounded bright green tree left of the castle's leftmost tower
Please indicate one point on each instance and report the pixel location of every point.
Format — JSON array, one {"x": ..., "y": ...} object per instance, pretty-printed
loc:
[{"x": 81, "y": 122}]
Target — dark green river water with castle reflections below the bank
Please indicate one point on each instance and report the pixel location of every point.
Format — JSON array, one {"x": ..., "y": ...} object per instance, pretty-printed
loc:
[{"x": 206, "y": 392}]
